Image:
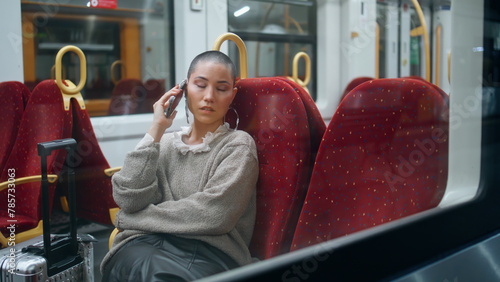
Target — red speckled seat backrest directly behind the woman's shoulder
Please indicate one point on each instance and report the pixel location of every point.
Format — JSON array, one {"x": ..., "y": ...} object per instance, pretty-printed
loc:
[{"x": 272, "y": 112}]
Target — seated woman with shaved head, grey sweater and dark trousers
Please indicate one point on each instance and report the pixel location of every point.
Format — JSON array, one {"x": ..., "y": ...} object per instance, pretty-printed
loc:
[{"x": 187, "y": 199}]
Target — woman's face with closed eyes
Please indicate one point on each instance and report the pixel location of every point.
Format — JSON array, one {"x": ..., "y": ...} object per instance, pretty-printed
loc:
[{"x": 210, "y": 92}]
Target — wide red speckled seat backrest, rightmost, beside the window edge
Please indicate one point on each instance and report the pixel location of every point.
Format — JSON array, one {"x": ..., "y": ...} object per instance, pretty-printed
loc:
[{"x": 384, "y": 156}]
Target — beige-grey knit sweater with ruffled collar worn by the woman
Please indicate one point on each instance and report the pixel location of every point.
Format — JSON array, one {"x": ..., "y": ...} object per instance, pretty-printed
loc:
[{"x": 206, "y": 194}]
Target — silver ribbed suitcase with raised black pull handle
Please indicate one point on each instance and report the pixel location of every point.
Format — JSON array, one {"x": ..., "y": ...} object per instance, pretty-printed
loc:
[{"x": 56, "y": 257}]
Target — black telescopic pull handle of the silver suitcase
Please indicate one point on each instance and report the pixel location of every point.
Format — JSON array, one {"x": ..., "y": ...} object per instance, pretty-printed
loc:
[{"x": 71, "y": 248}]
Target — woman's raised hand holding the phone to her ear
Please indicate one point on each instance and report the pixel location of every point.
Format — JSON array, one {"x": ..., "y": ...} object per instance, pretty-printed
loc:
[{"x": 160, "y": 121}]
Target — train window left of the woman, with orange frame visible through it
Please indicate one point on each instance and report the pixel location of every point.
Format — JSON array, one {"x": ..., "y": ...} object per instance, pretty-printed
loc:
[{"x": 125, "y": 45}]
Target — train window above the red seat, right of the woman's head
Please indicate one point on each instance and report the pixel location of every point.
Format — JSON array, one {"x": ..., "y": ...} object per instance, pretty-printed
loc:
[{"x": 274, "y": 32}]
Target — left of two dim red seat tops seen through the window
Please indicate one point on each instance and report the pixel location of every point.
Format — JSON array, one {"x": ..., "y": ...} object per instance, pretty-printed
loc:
[{"x": 126, "y": 97}]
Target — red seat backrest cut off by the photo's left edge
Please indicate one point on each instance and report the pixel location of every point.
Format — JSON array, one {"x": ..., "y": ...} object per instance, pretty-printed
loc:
[{"x": 12, "y": 95}]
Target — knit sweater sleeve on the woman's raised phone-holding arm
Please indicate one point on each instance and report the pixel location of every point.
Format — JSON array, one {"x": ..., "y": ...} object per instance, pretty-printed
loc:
[{"x": 135, "y": 186}]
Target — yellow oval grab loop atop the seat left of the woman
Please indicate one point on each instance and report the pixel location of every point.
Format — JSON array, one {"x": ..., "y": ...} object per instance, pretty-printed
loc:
[{"x": 83, "y": 69}]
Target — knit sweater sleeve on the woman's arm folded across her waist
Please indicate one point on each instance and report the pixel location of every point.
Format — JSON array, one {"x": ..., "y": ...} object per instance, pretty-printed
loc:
[{"x": 214, "y": 211}]
